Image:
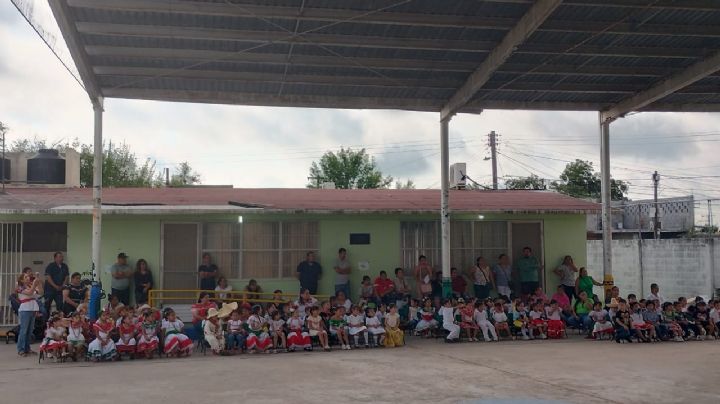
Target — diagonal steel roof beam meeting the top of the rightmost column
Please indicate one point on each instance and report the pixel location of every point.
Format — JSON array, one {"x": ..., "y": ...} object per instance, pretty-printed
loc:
[{"x": 671, "y": 84}]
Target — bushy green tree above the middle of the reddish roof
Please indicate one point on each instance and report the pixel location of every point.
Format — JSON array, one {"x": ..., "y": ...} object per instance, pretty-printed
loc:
[{"x": 348, "y": 169}]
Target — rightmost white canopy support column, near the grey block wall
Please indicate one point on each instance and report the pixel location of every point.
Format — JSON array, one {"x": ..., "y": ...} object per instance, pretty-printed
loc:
[{"x": 606, "y": 198}]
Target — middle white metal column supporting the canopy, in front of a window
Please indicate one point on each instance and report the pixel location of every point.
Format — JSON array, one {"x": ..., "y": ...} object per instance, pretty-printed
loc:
[{"x": 444, "y": 205}]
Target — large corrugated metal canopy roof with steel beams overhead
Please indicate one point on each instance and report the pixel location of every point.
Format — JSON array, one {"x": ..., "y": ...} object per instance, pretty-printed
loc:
[{"x": 451, "y": 56}]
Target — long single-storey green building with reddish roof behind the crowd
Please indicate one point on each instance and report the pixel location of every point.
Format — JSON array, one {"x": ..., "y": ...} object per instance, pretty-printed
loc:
[{"x": 264, "y": 233}]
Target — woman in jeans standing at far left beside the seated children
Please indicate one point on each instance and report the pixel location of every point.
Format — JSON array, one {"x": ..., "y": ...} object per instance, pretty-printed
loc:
[{"x": 29, "y": 290}]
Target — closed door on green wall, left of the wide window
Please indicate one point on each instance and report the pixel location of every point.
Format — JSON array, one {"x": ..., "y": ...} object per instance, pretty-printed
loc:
[{"x": 180, "y": 255}]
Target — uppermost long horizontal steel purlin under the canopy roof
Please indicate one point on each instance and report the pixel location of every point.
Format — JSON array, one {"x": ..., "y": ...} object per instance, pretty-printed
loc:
[{"x": 386, "y": 17}]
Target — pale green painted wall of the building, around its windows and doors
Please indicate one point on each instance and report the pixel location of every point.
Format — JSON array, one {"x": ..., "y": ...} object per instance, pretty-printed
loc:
[{"x": 139, "y": 237}]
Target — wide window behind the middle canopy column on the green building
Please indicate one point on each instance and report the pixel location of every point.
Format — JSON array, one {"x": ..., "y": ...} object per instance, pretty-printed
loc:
[{"x": 468, "y": 240}]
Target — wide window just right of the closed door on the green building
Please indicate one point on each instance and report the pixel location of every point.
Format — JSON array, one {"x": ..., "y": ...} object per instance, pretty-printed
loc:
[{"x": 262, "y": 250}]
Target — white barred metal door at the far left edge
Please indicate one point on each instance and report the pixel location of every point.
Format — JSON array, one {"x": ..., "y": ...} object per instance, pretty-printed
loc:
[{"x": 10, "y": 268}]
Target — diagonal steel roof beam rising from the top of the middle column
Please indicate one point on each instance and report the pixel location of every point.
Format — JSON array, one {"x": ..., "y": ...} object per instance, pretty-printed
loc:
[{"x": 527, "y": 24}]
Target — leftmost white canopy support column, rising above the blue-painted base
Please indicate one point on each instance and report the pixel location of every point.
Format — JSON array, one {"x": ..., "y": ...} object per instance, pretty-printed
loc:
[{"x": 97, "y": 189}]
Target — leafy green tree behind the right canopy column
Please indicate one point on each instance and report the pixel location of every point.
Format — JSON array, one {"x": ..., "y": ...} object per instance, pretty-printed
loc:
[{"x": 581, "y": 181}]
